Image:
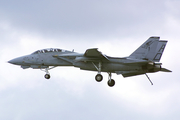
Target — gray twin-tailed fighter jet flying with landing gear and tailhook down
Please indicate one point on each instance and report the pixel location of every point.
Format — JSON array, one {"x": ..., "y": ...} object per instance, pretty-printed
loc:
[{"x": 143, "y": 60}]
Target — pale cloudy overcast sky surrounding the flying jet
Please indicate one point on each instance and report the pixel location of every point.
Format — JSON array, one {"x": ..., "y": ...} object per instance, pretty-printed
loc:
[{"x": 117, "y": 28}]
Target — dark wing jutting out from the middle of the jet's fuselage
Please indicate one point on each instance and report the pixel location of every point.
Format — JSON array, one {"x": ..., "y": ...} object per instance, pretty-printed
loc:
[{"x": 95, "y": 53}]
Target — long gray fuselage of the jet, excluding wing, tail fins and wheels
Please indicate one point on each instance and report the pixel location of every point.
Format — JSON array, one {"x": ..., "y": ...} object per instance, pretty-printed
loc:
[{"x": 44, "y": 59}]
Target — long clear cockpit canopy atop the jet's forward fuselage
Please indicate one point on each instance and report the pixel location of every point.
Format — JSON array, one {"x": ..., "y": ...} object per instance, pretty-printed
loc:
[{"x": 49, "y": 50}]
